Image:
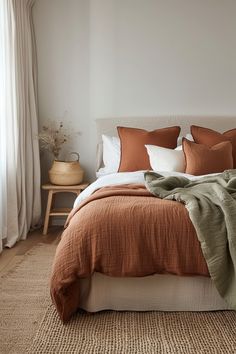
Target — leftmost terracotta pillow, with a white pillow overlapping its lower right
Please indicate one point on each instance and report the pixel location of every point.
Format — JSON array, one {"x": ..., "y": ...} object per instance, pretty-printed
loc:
[{"x": 134, "y": 155}]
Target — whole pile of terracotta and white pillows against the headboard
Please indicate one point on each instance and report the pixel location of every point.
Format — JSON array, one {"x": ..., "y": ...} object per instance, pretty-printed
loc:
[{"x": 204, "y": 151}]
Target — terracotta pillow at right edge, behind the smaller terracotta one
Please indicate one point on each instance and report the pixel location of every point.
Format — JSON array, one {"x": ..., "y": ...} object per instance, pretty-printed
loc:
[{"x": 211, "y": 137}]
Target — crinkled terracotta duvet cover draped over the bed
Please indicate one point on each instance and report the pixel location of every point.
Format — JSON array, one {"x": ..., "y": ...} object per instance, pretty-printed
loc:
[{"x": 123, "y": 230}]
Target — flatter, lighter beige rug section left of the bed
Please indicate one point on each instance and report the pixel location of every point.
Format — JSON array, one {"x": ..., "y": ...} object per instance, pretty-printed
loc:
[{"x": 24, "y": 298}]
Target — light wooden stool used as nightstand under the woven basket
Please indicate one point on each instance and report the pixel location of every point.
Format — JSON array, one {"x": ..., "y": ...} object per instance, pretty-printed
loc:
[{"x": 53, "y": 189}]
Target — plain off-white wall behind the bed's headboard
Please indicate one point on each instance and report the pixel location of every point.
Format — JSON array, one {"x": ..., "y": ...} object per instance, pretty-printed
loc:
[{"x": 106, "y": 58}]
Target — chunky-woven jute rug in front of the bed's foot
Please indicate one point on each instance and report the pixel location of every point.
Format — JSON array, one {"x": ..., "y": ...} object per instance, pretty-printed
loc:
[{"x": 133, "y": 332}]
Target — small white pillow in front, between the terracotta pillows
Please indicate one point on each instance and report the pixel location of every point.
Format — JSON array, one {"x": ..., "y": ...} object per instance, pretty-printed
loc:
[{"x": 163, "y": 159}]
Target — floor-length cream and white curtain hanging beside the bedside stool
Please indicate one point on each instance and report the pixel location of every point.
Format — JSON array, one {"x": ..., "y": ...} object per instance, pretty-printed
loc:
[{"x": 20, "y": 206}]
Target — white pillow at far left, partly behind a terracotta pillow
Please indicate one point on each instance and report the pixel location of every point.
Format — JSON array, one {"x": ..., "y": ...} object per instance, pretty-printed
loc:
[{"x": 111, "y": 153}]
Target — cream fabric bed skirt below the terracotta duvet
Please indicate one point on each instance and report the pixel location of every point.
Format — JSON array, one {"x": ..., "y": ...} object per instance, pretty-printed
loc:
[{"x": 155, "y": 292}]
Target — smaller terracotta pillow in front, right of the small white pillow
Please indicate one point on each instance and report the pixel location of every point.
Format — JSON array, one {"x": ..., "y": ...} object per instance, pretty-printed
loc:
[{"x": 202, "y": 160}]
